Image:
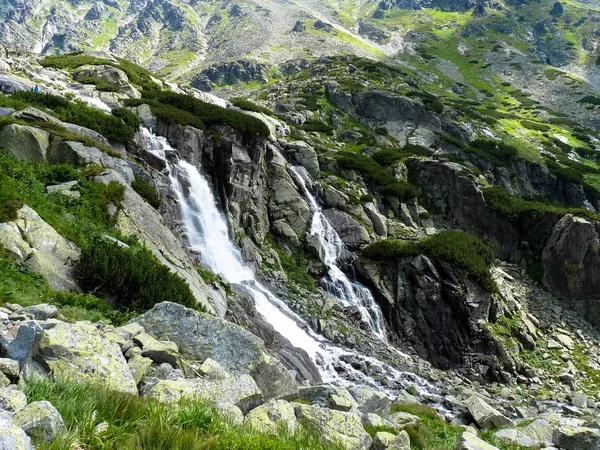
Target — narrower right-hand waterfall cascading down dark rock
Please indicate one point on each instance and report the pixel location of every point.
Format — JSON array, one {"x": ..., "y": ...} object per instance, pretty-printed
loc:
[{"x": 348, "y": 293}]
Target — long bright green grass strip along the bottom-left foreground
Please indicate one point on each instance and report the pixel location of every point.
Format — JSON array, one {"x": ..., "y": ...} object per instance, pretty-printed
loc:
[{"x": 139, "y": 424}]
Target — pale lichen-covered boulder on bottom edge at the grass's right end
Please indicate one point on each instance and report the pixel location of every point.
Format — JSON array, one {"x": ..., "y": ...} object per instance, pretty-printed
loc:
[{"x": 334, "y": 426}]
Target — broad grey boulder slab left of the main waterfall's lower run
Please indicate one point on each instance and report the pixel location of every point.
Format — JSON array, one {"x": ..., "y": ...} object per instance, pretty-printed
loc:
[{"x": 200, "y": 336}]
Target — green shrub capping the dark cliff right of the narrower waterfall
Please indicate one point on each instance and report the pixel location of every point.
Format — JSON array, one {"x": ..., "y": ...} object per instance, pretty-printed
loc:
[{"x": 461, "y": 249}]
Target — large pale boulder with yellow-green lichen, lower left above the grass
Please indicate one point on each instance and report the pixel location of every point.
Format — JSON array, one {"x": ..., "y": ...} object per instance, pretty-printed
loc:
[{"x": 81, "y": 352}]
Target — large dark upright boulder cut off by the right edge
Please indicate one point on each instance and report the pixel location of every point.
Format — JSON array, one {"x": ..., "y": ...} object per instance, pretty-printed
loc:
[{"x": 571, "y": 262}]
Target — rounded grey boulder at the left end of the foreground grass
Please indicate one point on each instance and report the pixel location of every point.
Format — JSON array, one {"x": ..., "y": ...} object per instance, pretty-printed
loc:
[{"x": 40, "y": 420}]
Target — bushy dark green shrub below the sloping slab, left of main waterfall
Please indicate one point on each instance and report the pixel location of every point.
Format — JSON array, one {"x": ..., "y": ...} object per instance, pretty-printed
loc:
[{"x": 132, "y": 276}]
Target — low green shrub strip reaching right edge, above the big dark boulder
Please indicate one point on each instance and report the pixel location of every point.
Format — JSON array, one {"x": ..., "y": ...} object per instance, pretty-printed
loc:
[{"x": 514, "y": 208}]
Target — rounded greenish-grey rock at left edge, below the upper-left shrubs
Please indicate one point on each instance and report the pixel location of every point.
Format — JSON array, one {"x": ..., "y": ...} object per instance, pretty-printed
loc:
[{"x": 25, "y": 142}]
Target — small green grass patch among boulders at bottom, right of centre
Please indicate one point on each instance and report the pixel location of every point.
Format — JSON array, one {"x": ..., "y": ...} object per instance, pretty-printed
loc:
[{"x": 433, "y": 433}]
